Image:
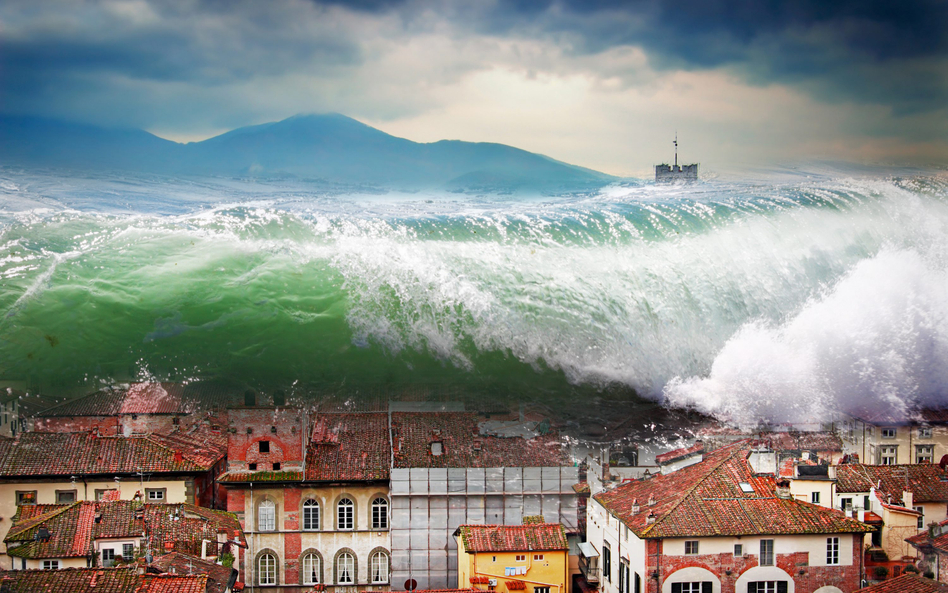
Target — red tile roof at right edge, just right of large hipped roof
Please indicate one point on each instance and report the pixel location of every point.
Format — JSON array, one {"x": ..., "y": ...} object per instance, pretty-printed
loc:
[{"x": 926, "y": 482}]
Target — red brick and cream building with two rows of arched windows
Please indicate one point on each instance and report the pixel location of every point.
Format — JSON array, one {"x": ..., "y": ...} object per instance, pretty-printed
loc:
[{"x": 312, "y": 494}]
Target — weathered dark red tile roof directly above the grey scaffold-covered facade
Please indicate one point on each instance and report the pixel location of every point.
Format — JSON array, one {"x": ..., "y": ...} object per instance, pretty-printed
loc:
[{"x": 462, "y": 444}]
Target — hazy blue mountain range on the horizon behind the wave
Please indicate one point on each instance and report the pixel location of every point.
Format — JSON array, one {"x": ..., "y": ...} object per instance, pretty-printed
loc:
[{"x": 332, "y": 148}]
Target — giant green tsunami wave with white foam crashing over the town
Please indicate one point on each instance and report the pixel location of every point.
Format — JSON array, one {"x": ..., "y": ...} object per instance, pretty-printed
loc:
[{"x": 780, "y": 297}]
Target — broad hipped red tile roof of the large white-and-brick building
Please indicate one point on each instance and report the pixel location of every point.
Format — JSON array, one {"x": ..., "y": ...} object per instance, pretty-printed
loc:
[{"x": 706, "y": 499}]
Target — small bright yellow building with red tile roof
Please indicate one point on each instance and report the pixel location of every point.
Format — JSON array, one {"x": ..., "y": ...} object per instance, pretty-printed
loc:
[{"x": 533, "y": 558}]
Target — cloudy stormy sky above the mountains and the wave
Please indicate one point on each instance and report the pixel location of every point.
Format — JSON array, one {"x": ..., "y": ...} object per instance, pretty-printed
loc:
[{"x": 597, "y": 83}]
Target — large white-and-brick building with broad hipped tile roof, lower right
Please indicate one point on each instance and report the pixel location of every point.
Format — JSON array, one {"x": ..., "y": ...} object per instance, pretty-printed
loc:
[{"x": 719, "y": 527}]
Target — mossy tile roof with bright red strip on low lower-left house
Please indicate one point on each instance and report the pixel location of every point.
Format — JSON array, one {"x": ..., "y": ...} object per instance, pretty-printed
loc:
[{"x": 73, "y": 528}]
